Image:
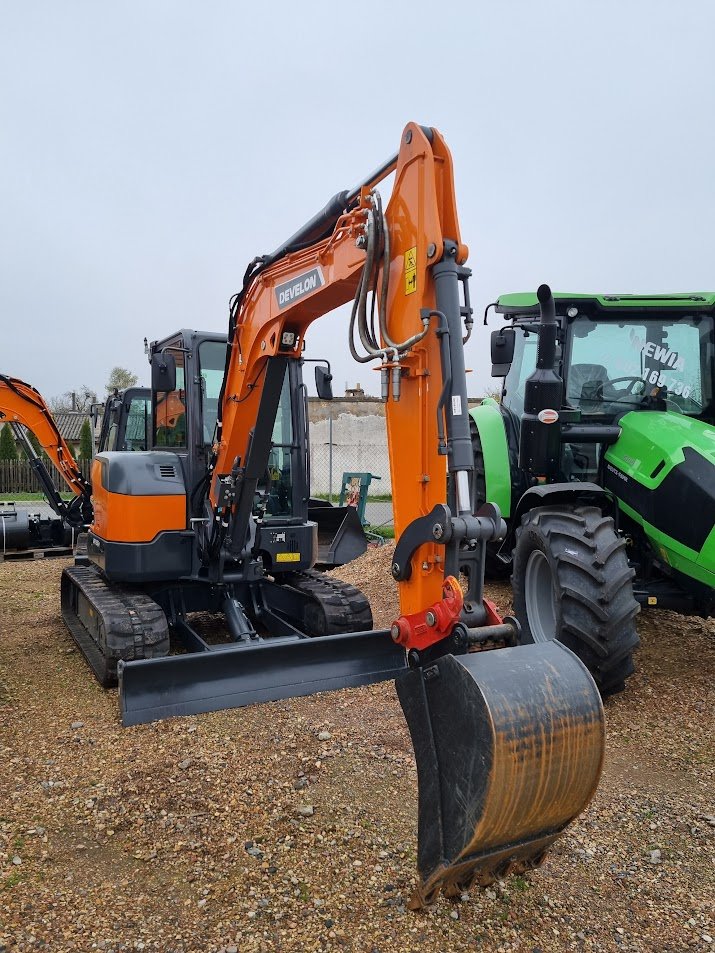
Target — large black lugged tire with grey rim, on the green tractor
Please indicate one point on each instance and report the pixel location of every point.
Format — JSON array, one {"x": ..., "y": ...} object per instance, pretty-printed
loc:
[{"x": 572, "y": 582}]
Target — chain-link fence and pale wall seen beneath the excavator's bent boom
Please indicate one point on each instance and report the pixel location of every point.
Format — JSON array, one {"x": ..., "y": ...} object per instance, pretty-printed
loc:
[{"x": 349, "y": 449}]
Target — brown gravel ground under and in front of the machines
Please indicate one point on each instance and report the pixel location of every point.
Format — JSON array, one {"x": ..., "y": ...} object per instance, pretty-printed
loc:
[{"x": 291, "y": 826}]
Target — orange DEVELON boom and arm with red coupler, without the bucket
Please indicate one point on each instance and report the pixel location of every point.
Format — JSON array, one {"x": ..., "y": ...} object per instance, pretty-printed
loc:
[{"x": 411, "y": 260}]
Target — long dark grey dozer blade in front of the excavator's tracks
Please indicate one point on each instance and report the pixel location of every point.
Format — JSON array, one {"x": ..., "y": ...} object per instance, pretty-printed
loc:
[{"x": 245, "y": 674}]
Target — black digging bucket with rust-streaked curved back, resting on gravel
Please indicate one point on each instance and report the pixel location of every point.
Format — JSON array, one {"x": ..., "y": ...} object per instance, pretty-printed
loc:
[{"x": 509, "y": 747}]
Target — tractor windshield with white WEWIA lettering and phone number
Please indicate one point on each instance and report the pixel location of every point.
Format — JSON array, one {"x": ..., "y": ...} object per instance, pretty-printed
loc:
[{"x": 628, "y": 361}]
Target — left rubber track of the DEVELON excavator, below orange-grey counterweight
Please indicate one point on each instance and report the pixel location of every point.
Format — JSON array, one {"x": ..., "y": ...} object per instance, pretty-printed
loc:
[{"x": 132, "y": 625}]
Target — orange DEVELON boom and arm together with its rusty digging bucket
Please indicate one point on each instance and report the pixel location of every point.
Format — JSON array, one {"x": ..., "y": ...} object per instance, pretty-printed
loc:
[{"x": 509, "y": 743}]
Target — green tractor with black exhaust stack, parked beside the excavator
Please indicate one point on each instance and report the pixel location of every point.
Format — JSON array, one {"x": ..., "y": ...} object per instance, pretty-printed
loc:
[{"x": 601, "y": 457}]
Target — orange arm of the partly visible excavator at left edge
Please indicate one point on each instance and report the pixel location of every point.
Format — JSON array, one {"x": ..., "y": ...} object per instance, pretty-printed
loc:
[{"x": 24, "y": 408}]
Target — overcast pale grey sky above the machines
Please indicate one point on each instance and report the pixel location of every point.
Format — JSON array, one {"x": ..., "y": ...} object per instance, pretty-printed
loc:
[{"x": 149, "y": 149}]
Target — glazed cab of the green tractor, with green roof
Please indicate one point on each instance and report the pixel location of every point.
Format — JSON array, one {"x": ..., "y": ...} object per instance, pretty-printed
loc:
[{"x": 615, "y": 354}]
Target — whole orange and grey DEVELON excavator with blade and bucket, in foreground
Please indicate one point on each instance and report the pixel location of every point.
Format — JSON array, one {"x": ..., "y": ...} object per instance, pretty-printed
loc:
[{"x": 214, "y": 518}]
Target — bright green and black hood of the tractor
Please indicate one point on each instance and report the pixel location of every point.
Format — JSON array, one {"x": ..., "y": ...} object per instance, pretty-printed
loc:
[{"x": 662, "y": 470}]
